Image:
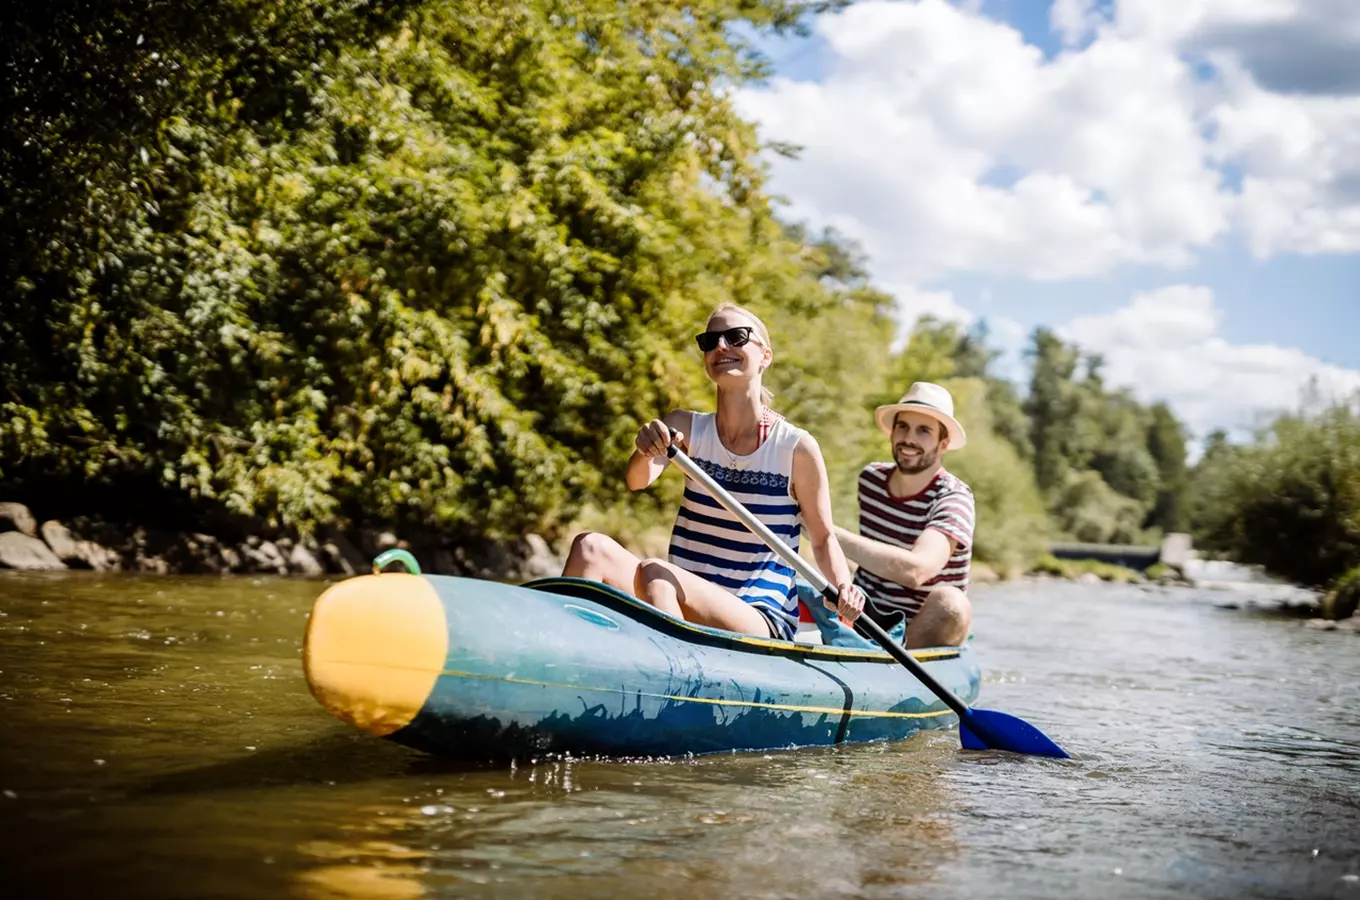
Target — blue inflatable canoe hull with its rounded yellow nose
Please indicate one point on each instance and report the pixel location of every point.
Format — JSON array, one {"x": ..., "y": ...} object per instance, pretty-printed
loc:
[{"x": 573, "y": 667}]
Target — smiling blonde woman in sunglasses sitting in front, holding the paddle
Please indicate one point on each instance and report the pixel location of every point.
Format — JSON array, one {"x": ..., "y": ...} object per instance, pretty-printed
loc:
[{"x": 720, "y": 574}]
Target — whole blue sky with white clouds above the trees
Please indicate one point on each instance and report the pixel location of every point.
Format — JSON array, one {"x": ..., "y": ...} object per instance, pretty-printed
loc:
[{"x": 1172, "y": 184}]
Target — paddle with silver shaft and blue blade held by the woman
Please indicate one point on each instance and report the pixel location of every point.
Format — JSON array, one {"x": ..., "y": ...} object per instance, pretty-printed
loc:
[{"x": 979, "y": 729}]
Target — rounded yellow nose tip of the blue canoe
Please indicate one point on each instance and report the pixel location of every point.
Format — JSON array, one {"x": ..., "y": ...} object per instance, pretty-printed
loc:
[{"x": 375, "y": 651}]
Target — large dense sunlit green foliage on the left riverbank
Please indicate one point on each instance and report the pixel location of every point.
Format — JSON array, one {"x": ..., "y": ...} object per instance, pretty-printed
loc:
[{"x": 417, "y": 263}]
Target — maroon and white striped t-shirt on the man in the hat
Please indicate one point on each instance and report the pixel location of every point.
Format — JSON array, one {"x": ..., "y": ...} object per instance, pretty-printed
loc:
[{"x": 946, "y": 505}]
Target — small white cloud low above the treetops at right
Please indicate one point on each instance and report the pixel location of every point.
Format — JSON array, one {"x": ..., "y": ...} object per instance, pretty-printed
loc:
[{"x": 1166, "y": 346}]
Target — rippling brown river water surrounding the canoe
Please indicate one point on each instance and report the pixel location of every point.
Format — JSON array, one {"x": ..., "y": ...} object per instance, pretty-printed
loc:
[{"x": 160, "y": 742}]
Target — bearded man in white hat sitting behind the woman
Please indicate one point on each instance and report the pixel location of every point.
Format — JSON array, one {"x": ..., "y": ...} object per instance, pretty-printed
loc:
[{"x": 916, "y": 524}]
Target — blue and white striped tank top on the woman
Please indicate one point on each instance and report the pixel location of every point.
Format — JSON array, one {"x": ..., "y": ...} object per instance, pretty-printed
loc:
[{"x": 715, "y": 544}]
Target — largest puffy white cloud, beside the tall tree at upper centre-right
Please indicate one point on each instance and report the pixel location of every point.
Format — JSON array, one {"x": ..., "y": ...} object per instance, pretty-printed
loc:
[{"x": 925, "y": 112}]
